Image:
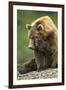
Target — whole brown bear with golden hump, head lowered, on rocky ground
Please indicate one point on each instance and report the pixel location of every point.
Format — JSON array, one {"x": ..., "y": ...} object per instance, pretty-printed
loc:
[{"x": 42, "y": 35}]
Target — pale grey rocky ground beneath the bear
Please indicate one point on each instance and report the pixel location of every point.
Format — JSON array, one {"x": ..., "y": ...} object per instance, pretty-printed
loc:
[{"x": 44, "y": 74}]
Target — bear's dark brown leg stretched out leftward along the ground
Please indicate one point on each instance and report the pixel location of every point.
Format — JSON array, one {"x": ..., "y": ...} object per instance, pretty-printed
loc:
[{"x": 27, "y": 67}]
